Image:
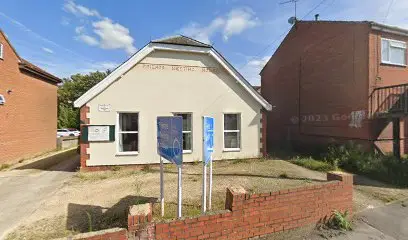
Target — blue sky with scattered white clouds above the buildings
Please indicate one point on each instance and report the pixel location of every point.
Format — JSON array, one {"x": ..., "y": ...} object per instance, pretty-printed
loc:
[{"x": 66, "y": 37}]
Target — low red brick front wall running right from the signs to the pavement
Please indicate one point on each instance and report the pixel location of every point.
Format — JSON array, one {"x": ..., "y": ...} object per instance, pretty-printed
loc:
[{"x": 265, "y": 213}]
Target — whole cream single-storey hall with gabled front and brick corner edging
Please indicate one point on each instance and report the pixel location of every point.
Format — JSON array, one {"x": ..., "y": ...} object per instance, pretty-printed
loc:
[{"x": 172, "y": 76}]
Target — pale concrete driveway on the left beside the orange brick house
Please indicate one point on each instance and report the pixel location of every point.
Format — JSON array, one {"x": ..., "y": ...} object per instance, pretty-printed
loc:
[{"x": 24, "y": 191}]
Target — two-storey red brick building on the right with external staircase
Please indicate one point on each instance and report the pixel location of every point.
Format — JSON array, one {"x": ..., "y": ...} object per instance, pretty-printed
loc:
[{"x": 334, "y": 81}]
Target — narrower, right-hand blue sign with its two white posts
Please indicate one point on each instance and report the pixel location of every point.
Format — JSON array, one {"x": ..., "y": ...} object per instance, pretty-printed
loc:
[{"x": 208, "y": 148}]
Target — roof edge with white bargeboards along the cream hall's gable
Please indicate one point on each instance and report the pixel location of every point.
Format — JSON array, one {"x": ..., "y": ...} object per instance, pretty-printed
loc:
[{"x": 183, "y": 44}]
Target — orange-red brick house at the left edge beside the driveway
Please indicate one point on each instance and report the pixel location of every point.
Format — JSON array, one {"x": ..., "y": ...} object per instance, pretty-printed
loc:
[{"x": 28, "y": 106}]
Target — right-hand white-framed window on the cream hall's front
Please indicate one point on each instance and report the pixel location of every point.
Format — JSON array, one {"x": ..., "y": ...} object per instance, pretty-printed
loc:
[{"x": 232, "y": 132}]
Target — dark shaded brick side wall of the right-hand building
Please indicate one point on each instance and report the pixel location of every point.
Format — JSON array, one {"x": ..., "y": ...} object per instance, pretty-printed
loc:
[{"x": 316, "y": 78}]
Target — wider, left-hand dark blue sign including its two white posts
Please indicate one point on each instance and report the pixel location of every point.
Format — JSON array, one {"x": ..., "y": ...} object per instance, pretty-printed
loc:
[{"x": 169, "y": 146}]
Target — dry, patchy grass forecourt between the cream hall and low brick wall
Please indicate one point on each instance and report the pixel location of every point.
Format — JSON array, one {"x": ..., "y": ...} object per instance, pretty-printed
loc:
[{"x": 106, "y": 195}]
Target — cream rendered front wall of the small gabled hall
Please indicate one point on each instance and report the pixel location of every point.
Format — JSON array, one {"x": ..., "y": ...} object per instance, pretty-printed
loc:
[{"x": 164, "y": 83}]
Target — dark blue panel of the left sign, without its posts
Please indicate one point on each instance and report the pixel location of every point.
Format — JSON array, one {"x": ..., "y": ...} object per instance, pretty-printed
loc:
[{"x": 170, "y": 139}]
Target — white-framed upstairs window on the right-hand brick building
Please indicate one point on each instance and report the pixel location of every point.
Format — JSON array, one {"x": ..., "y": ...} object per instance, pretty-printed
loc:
[{"x": 393, "y": 52}]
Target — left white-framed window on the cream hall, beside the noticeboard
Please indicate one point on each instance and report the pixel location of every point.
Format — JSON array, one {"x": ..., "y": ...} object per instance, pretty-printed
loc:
[{"x": 127, "y": 133}]
